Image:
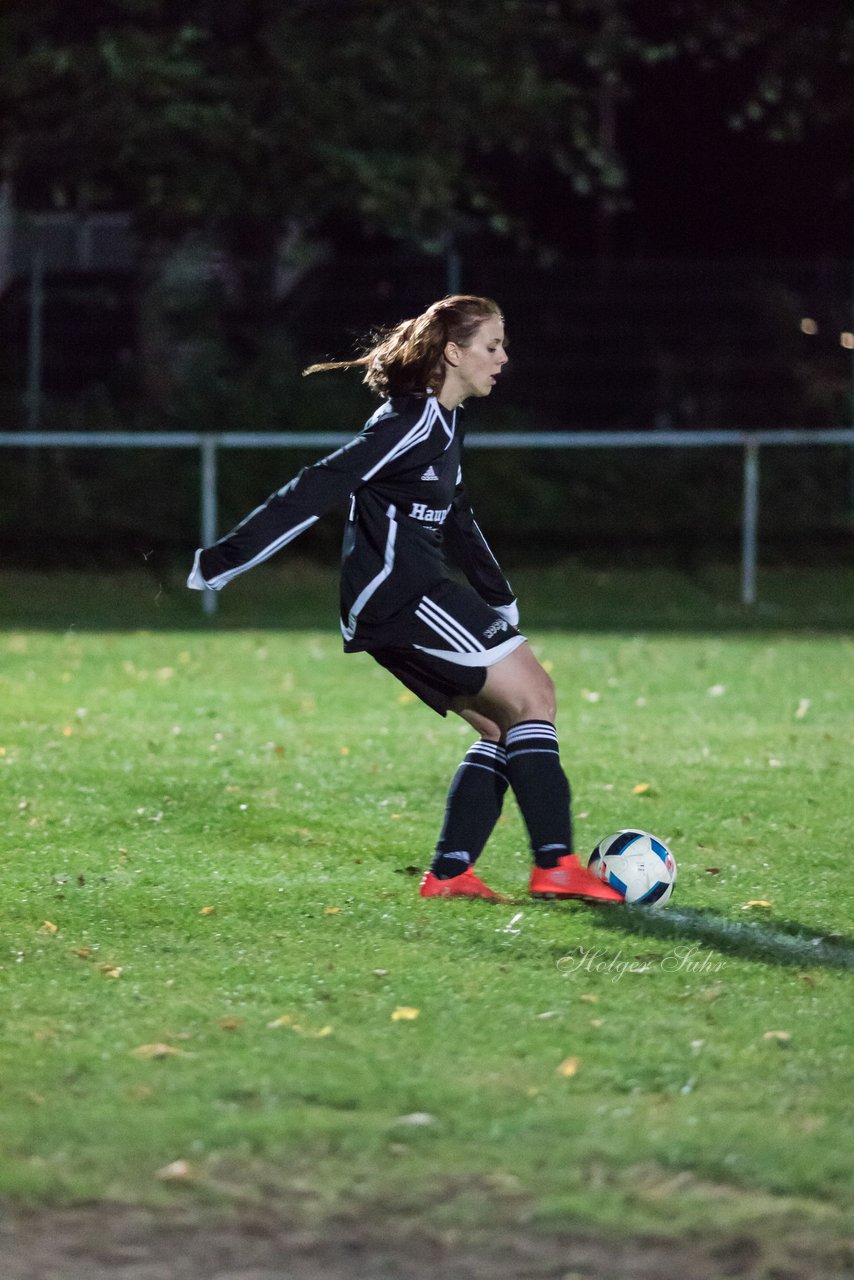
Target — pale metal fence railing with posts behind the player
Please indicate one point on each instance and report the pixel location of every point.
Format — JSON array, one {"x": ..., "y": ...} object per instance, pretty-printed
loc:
[{"x": 211, "y": 444}]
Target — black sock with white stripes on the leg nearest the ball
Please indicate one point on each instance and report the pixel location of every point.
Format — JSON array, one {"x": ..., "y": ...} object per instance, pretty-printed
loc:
[{"x": 542, "y": 790}]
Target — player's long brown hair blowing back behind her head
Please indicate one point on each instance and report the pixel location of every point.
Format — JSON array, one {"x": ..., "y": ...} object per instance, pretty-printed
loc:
[{"x": 409, "y": 360}]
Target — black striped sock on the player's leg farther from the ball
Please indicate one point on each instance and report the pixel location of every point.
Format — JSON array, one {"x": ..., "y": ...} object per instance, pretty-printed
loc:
[{"x": 473, "y": 810}]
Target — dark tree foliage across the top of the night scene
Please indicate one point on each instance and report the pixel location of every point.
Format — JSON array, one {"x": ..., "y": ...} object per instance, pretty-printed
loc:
[{"x": 412, "y": 120}]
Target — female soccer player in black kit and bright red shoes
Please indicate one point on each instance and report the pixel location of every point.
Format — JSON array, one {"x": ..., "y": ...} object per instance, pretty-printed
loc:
[{"x": 456, "y": 647}]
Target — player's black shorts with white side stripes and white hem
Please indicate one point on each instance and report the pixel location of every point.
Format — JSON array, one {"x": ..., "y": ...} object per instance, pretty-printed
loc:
[{"x": 446, "y": 646}]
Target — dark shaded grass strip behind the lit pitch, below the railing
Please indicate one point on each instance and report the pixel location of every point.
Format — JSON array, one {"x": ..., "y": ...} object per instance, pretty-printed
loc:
[{"x": 570, "y": 595}]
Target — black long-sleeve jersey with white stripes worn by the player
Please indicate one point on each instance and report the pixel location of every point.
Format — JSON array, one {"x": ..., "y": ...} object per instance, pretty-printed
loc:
[{"x": 409, "y": 520}]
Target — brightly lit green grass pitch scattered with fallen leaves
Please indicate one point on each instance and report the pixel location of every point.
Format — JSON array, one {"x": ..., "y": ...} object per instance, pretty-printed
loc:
[{"x": 214, "y": 953}]
